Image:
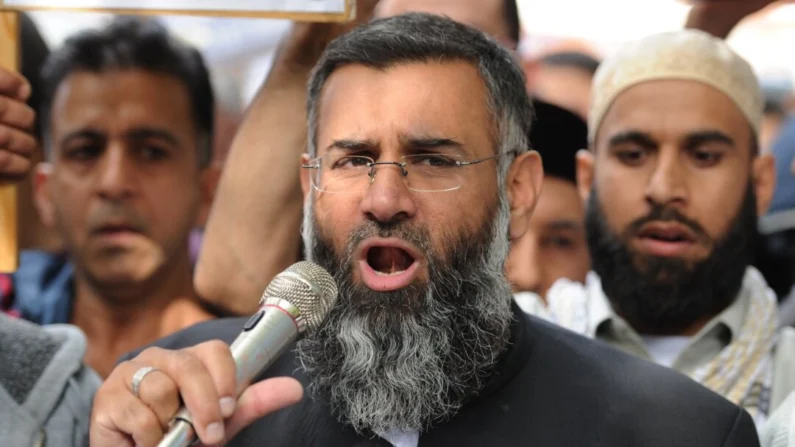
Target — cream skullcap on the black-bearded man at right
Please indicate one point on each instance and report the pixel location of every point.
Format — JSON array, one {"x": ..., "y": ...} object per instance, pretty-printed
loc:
[{"x": 682, "y": 55}]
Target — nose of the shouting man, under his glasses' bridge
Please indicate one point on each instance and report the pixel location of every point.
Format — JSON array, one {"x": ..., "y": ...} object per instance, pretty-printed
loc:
[{"x": 388, "y": 198}]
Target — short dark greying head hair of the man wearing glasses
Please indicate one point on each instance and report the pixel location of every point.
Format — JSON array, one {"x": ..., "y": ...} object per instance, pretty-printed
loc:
[{"x": 417, "y": 37}]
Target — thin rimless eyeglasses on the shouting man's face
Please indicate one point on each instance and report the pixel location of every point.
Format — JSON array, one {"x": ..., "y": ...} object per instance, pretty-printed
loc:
[{"x": 428, "y": 172}]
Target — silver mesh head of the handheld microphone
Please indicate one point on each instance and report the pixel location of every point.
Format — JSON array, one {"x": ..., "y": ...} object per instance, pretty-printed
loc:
[{"x": 309, "y": 288}]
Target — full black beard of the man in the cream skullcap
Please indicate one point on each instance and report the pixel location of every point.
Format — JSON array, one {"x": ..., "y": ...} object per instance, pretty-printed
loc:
[{"x": 665, "y": 296}]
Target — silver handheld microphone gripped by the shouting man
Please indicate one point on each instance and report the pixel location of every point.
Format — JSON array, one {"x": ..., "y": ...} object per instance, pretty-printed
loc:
[{"x": 294, "y": 303}]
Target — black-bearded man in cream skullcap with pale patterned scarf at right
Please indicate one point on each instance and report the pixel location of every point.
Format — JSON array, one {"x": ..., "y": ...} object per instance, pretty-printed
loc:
[{"x": 674, "y": 183}]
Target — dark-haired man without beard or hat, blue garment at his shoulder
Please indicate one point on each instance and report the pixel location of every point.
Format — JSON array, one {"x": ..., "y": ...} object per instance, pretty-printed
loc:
[{"x": 126, "y": 117}]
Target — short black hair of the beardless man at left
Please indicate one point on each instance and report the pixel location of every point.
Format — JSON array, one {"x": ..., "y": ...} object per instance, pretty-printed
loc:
[{"x": 133, "y": 43}]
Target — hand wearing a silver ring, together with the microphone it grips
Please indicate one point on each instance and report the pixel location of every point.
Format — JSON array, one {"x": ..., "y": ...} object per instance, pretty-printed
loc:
[{"x": 163, "y": 397}]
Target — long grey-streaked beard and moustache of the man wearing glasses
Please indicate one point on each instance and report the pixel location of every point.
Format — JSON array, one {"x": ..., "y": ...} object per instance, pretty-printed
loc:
[{"x": 407, "y": 359}]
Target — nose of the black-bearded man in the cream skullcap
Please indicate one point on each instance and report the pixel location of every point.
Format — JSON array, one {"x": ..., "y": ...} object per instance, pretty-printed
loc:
[{"x": 667, "y": 183}]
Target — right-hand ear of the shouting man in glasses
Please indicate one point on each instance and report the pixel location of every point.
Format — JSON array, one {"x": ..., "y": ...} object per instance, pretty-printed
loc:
[{"x": 524, "y": 187}]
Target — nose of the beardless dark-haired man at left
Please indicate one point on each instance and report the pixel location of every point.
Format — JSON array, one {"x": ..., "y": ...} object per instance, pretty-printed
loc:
[{"x": 116, "y": 177}]
